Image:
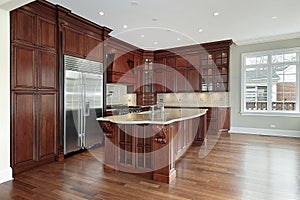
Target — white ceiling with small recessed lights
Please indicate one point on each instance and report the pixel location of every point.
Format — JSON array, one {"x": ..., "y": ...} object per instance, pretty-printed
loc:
[{"x": 178, "y": 21}]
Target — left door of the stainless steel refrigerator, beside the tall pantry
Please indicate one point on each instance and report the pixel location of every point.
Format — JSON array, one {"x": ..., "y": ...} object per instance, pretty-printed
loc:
[{"x": 73, "y": 126}]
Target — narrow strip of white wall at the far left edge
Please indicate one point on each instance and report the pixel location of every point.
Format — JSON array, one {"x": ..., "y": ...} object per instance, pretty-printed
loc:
[{"x": 5, "y": 7}]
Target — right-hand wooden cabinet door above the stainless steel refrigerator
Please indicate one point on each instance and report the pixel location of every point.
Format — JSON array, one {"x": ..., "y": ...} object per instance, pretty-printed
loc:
[{"x": 93, "y": 48}]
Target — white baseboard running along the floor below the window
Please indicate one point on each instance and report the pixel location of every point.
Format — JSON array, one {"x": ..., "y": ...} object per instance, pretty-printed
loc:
[{"x": 267, "y": 132}]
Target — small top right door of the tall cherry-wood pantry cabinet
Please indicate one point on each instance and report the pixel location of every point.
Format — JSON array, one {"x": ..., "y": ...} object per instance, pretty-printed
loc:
[{"x": 46, "y": 33}]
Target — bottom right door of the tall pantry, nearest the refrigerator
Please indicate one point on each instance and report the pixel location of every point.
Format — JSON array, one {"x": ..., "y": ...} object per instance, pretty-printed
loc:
[{"x": 47, "y": 124}]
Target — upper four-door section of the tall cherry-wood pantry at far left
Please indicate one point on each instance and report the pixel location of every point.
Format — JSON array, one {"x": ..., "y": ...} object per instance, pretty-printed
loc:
[{"x": 34, "y": 48}]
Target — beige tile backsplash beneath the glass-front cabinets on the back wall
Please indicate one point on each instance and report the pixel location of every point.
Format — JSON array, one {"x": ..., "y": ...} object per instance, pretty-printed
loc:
[{"x": 205, "y": 99}]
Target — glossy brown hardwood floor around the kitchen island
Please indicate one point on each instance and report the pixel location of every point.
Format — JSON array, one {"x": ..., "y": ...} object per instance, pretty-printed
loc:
[{"x": 237, "y": 167}]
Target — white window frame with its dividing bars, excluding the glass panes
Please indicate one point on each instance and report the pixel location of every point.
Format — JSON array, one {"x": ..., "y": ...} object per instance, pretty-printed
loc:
[{"x": 269, "y": 66}]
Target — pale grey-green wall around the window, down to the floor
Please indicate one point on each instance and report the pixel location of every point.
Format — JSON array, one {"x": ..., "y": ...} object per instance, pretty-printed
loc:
[{"x": 287, "y": 126}]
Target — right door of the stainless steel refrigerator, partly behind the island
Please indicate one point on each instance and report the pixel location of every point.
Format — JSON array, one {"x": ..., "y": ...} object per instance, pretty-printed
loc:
[{"x": 93, "y": 108}]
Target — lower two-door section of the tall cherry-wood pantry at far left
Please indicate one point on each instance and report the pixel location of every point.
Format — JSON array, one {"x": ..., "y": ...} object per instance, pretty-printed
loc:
[{"x": 34, "y": 129}]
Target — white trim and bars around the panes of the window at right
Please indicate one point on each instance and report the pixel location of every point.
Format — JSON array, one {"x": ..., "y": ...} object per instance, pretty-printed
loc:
[{"x": 243, "y": 111}]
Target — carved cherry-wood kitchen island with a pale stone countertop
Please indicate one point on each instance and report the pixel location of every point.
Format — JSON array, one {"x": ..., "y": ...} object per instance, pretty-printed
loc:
[{"x": 150, "y": 142}]
